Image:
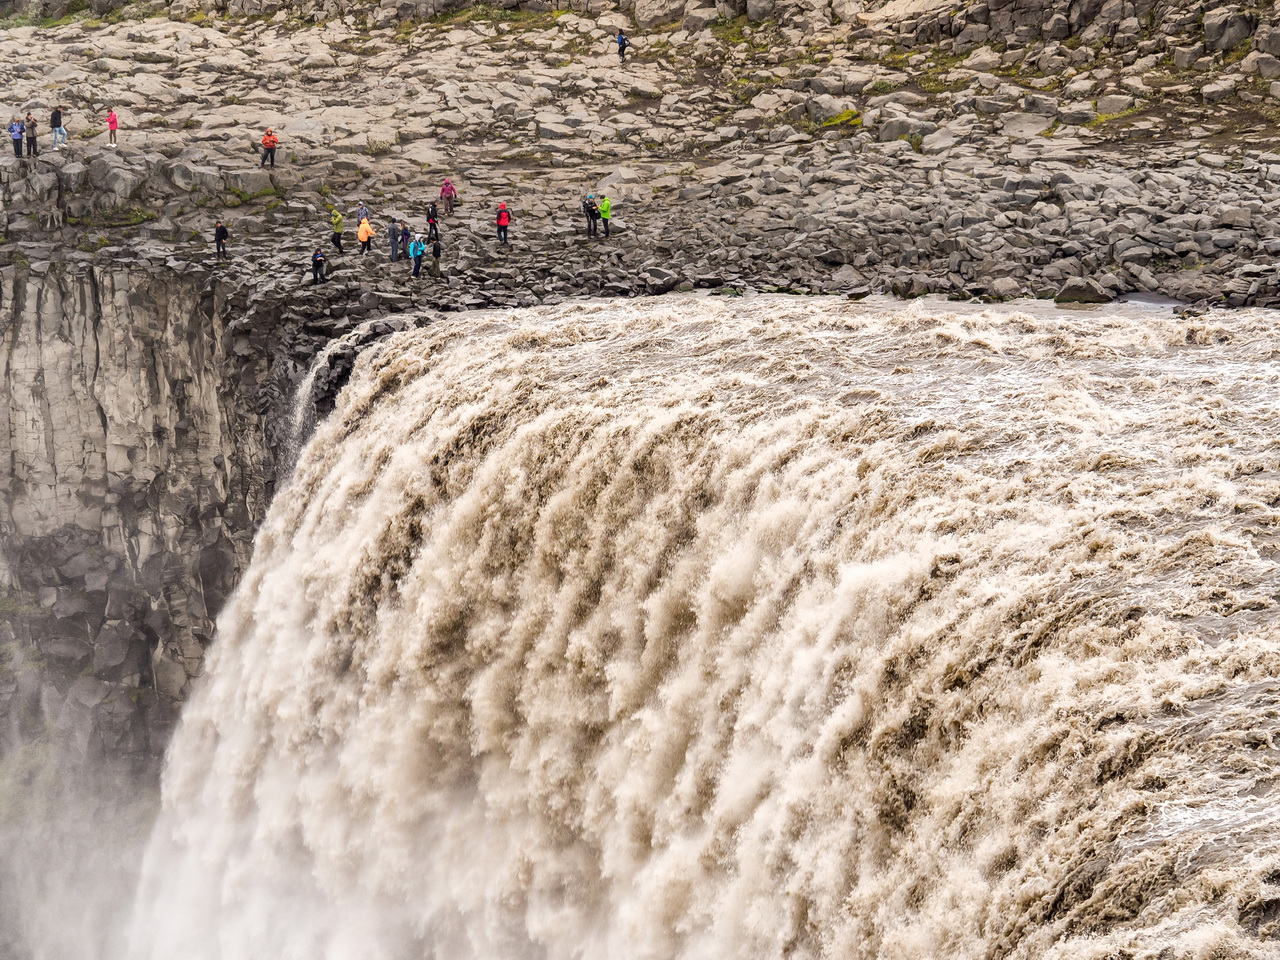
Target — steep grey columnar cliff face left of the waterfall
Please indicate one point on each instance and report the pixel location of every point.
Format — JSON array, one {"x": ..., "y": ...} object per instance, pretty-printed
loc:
[{"x": 135, "y": 482}]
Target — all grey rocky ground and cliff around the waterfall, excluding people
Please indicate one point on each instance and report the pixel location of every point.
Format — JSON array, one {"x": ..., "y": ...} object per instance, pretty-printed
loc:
[{"x": 991, "y": 150}]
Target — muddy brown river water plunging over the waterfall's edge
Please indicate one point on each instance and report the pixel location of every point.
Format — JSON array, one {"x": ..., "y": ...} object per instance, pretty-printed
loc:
[{"x": 762, "y": 629}]
